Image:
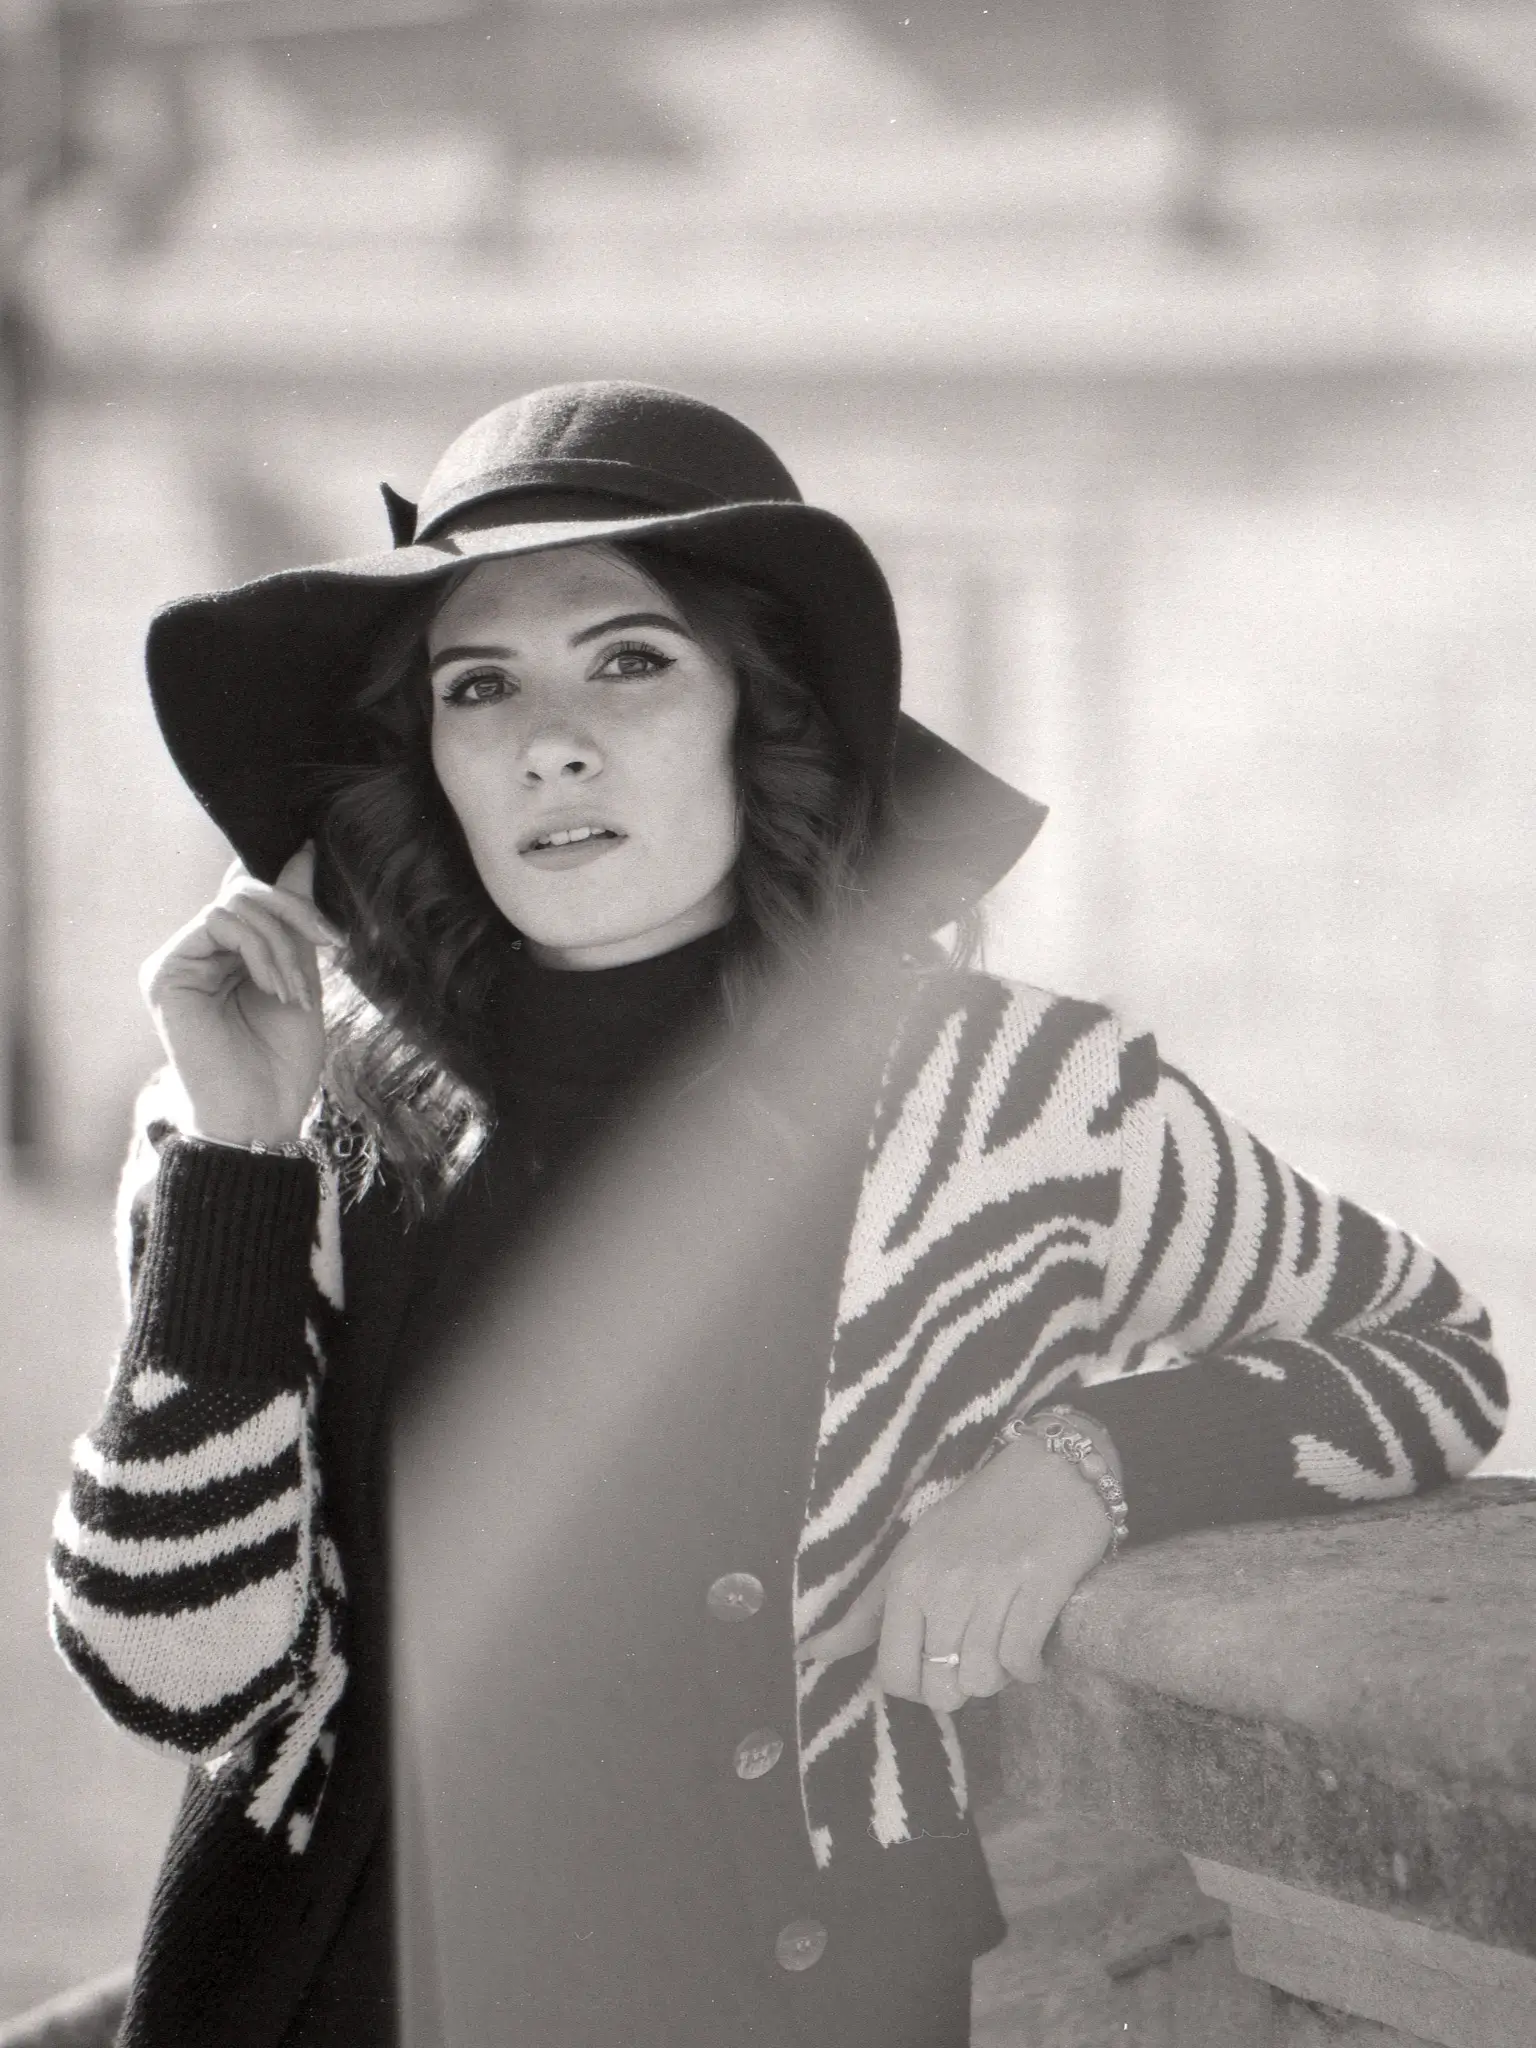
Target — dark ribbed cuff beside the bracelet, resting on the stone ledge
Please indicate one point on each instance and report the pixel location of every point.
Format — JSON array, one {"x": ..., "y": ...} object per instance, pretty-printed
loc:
[{"x": 1201, "y": 1447}]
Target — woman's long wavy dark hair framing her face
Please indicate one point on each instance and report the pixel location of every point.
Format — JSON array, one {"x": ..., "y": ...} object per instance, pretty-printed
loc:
[{"x": 409, "y": 1000}]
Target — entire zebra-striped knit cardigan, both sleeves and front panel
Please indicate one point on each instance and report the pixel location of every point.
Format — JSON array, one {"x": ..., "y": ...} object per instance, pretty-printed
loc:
[{"x": 1046, "y": 1211}]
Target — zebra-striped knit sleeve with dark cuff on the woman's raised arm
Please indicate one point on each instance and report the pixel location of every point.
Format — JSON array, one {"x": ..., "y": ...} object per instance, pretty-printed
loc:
[{"x": 189, "y": 1578}]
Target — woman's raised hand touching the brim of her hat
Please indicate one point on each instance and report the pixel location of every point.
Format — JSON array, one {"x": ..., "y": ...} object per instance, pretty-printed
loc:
[{"x": 237, "y": 1002}]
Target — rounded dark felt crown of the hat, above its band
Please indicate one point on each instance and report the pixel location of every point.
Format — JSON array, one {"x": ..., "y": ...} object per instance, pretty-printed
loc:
[{"x": 652, "y": 447}]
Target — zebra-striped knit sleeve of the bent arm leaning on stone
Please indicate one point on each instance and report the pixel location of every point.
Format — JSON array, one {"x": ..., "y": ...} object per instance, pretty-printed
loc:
[{"x": 1273, "y": 1349}]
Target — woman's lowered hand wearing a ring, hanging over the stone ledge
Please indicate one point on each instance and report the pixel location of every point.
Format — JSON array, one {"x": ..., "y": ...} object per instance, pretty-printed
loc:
[{"x": 984, "y": 1576}]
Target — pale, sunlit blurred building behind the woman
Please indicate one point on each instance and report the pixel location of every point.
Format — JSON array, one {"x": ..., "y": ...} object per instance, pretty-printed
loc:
[{"x": 1177, "y": 357}]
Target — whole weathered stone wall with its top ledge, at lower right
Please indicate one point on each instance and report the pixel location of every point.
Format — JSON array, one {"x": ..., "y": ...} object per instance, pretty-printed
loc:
[{"x": 1277, "y": 1791}]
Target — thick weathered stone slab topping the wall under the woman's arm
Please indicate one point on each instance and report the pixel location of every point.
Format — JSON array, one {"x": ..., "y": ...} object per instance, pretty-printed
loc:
[{"x": 1345, "y": 1705}]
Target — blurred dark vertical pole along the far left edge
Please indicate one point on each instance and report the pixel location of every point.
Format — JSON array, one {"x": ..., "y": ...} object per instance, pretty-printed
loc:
[{"x": 30, "y": 159}]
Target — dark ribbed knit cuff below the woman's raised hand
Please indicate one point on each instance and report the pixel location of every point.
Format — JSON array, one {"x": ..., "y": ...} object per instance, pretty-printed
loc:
[{"x": 224, "y": 1285}]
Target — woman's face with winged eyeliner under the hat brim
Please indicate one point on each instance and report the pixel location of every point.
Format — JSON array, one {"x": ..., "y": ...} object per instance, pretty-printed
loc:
[{"x": 583, "y": 736}]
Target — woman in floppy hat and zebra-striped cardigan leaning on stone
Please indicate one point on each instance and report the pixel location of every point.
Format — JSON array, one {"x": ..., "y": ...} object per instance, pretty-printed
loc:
[{"x": 599, "y": 792}]
